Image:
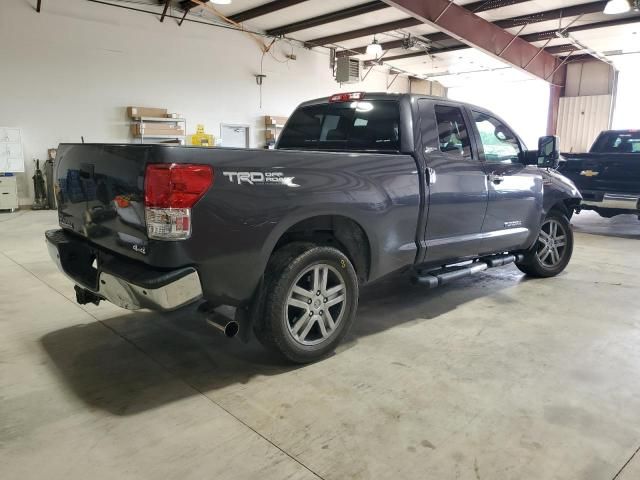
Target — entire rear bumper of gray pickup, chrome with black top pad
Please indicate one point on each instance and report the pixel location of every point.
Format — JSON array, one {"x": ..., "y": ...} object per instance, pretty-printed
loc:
[{"x": 124, "y": 283}]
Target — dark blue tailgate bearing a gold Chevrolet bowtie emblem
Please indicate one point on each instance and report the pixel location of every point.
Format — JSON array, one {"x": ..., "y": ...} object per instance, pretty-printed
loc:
[{"x": 604, "y": 172}]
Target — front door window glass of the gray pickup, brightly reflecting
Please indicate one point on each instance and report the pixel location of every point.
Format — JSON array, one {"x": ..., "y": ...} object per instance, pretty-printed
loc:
[{"x": 499, "y": 143}]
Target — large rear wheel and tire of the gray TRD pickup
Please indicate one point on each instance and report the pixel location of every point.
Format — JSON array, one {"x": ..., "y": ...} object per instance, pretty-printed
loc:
[{"x": 305, "y": 332}]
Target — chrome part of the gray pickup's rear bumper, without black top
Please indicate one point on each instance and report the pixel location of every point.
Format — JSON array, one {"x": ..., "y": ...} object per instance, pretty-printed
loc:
[{"x": 125, "y": 294}]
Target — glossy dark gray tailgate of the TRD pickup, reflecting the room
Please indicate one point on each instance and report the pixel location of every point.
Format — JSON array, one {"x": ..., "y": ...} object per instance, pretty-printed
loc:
[{"x": 100, "y": 194}]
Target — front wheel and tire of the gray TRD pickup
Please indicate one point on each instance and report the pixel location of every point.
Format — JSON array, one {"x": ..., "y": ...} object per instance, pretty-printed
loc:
[{"x": 543, "y": 261}]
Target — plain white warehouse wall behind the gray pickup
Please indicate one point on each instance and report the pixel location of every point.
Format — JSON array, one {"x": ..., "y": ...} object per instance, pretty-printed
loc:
[{"x": 71, "y": 70}]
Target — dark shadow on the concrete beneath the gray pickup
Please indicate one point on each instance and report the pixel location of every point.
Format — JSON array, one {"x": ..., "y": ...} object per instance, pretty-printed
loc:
[{"x": 107, "y": 373}]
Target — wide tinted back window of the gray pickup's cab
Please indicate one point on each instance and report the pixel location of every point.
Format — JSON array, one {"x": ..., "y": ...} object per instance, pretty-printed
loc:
[{"x": 355, "y": 126}]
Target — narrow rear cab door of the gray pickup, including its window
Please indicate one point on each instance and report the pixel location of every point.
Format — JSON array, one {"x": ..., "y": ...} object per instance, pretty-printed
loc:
[{"x": 456, "y": 183}]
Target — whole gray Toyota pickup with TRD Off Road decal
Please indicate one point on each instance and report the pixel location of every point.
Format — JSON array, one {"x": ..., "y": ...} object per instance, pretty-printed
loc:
[{"x": 359, "y": 186}]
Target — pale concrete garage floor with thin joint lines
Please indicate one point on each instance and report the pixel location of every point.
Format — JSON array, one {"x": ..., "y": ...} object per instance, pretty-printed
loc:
[{"x": 493, "y": 377}]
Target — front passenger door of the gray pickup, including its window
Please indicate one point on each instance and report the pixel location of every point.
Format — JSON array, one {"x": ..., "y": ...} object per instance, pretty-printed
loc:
[{"x": 515, "y": 189}]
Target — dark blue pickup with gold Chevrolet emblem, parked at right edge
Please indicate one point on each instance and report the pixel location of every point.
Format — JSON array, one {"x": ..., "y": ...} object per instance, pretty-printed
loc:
[{"x": 608, "y": 177}]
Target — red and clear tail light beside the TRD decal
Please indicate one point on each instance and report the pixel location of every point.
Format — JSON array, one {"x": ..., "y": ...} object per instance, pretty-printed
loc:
[{"x": 170, "y": 191}]
